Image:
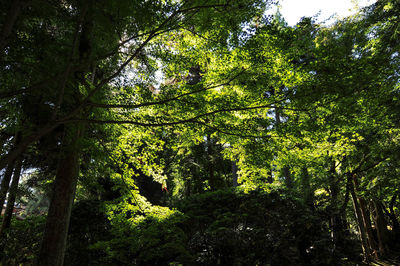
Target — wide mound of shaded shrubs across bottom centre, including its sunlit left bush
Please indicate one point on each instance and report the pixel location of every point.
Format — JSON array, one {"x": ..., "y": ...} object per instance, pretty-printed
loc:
[{"x": 222, "y": 227}]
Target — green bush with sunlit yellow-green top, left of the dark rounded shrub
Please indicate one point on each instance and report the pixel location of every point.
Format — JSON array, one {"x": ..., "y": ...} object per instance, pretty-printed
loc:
[{"x": 152, "y": 238}]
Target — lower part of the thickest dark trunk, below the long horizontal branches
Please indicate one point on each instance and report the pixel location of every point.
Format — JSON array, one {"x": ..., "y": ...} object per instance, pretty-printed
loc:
[{"x": 55, "y": 236}]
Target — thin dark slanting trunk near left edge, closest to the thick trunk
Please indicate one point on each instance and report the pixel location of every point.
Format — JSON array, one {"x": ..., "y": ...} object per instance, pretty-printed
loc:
[{"x": 11, "y": 197}]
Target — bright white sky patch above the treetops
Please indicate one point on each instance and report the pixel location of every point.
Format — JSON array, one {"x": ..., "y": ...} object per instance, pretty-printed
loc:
[{"x": 293, "y": 10}]
